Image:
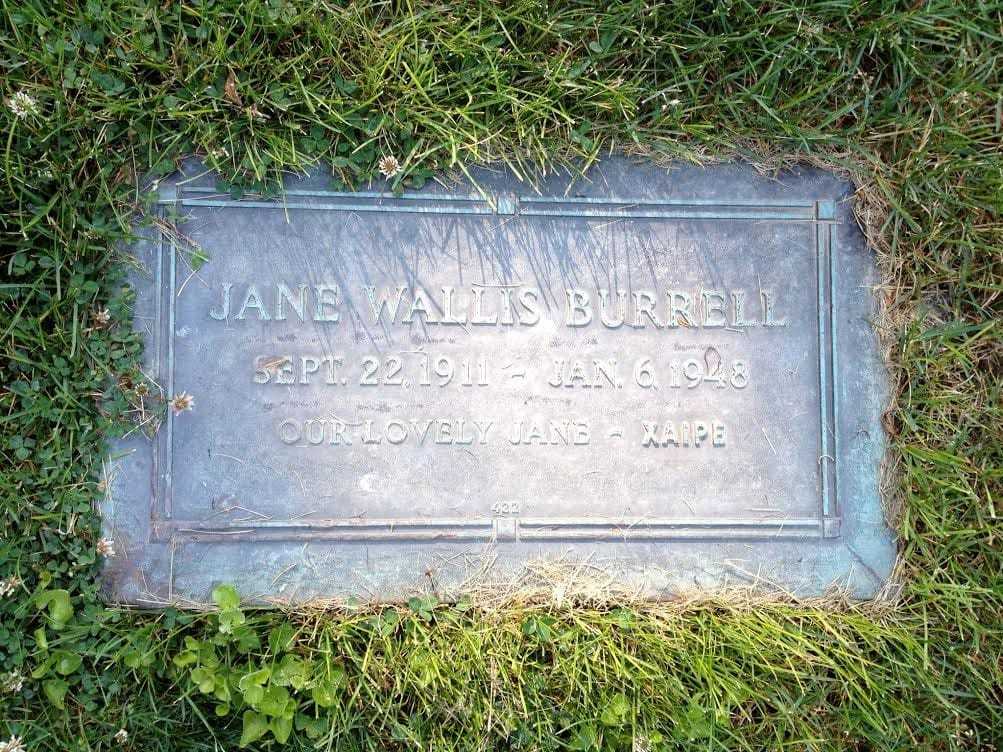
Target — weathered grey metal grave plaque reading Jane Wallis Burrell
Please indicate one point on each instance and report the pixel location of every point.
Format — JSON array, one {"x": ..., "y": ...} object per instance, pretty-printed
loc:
[{"x": 667, "y": 375}]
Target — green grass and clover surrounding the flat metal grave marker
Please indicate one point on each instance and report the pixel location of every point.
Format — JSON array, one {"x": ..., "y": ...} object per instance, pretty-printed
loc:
[{"x": 907, "y": 97}]
